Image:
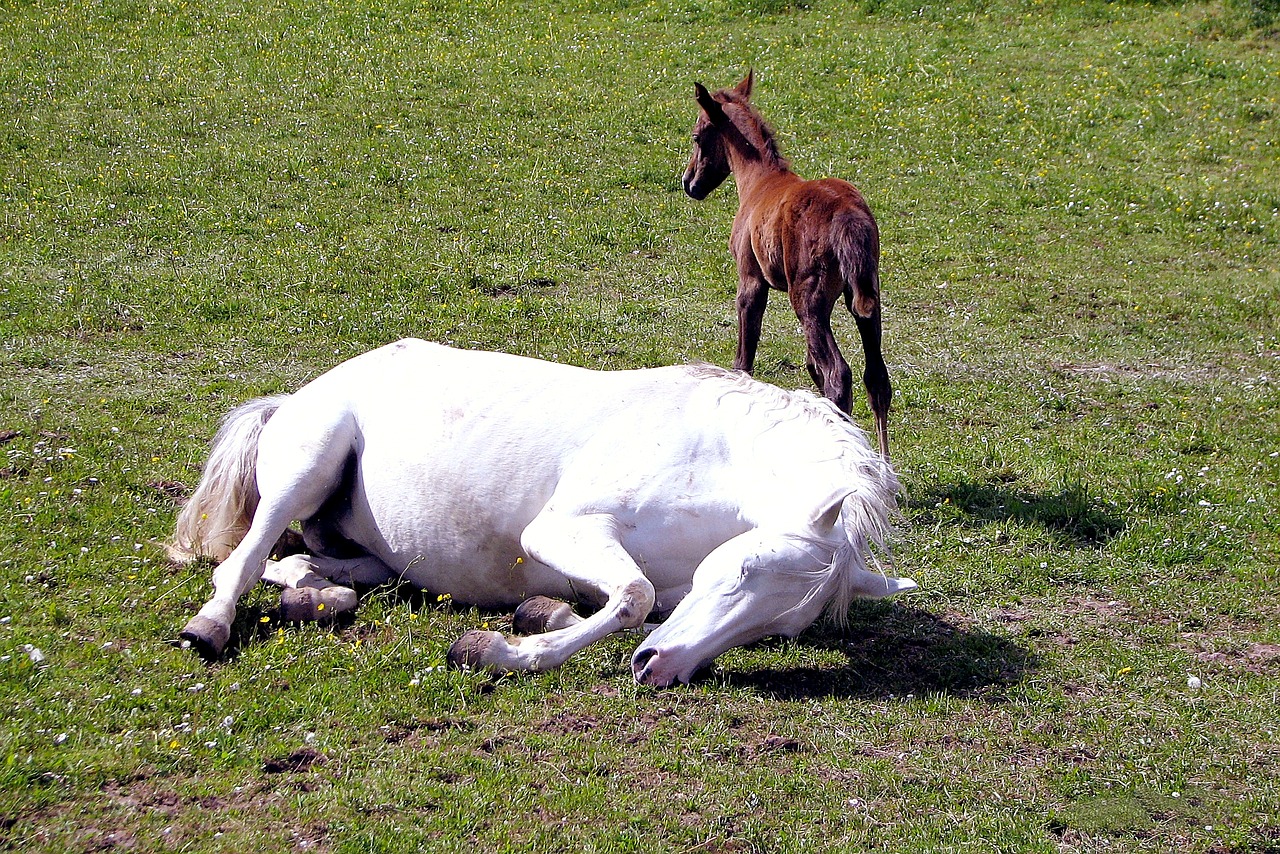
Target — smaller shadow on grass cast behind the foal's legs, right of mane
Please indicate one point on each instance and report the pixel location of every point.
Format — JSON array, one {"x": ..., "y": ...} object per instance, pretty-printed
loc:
[{"x": 1072, "y": 514}]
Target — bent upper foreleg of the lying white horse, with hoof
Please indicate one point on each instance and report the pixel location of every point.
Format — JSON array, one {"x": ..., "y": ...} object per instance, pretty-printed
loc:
[{"x": 587, "y": 550}]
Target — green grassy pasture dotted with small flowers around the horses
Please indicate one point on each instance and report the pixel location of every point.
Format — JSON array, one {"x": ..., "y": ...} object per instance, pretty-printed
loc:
[{"x": 1080, "y": 205}]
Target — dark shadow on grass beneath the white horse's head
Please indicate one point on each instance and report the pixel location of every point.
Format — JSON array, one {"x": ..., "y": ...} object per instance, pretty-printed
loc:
[{"x": 894, "y": 651}]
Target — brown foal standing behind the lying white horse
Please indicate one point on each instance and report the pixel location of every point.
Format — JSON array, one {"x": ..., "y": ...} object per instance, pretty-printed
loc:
[{"x": 816, "y": 240}]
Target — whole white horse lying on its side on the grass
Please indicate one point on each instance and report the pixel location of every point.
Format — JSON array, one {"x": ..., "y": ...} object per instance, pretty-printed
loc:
[{"x": 732, "y": 508}]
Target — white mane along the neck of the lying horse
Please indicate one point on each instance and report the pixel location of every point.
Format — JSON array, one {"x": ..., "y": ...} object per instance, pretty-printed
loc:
[{"x": 871, "y": 505}]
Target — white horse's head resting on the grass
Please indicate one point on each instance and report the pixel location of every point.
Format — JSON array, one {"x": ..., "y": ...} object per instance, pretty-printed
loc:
[{"x": 760, "y": 584}]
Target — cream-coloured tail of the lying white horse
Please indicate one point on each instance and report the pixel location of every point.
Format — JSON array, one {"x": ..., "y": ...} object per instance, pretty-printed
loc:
[{"x": 220, "y": 513}]
